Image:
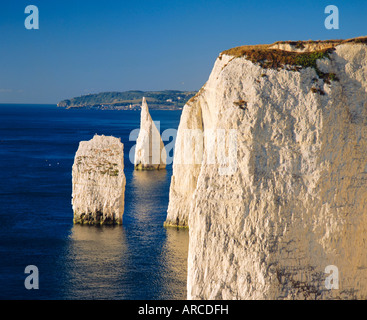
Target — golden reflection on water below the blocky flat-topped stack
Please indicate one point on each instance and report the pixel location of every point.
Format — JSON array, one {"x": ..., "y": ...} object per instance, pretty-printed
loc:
[{"x": 97, "y": 263}]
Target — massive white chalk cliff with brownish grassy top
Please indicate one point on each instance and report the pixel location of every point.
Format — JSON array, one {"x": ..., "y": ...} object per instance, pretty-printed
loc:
[{"x": 280, "y": 193}]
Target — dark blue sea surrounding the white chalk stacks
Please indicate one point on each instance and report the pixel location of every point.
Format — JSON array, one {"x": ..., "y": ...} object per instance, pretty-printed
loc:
[{"x": 138, "y": 260}]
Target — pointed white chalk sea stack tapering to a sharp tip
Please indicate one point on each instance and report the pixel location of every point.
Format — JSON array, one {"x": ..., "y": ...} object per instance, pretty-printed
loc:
[{"x": 150, "y": 153}]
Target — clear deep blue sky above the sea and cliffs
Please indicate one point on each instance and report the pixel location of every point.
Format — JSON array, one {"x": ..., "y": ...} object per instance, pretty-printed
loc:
[{"x": 93, "y": 46}]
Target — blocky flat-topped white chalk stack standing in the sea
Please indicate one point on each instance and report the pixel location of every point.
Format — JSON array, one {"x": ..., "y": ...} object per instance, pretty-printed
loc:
[{"x": 99, "y": 181}]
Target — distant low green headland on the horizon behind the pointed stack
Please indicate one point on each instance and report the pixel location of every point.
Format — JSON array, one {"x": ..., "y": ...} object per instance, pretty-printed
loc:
[{"x": 130, "y": 100}]
